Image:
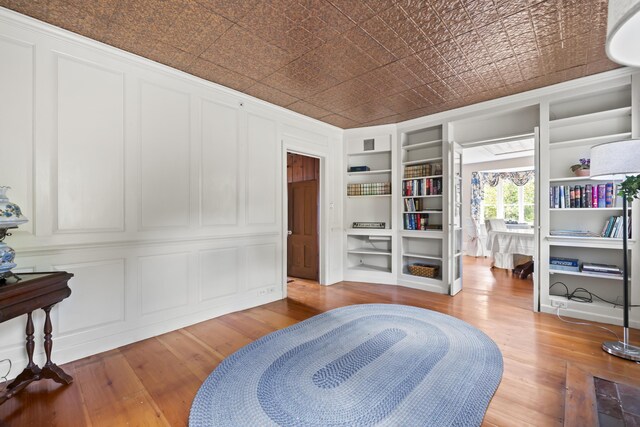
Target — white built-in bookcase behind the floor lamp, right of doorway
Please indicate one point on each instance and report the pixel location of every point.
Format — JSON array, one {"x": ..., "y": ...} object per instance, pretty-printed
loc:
[{"x": 577, "y": 123}]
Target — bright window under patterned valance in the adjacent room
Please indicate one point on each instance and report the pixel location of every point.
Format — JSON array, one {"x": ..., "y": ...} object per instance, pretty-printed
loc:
[{"x": 508, "y": 201}]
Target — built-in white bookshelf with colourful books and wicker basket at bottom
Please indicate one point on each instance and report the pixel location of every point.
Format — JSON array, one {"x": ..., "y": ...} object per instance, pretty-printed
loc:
[{"x": 422, "y": 206}]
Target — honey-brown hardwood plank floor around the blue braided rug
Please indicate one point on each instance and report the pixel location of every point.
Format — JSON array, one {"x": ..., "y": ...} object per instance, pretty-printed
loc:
[{"x": 153, "y": 382}]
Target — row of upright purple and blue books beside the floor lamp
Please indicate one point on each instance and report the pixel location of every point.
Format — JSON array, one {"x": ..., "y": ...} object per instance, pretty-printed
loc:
[{"x": 583, "y": 196}]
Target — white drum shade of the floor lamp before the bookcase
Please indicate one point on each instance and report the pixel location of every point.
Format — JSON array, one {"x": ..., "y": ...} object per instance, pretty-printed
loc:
[{"x": 615, "y": 160}]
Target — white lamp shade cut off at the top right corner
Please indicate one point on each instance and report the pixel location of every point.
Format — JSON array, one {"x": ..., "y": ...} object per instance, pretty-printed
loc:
[{"x": 623, "y": 32}]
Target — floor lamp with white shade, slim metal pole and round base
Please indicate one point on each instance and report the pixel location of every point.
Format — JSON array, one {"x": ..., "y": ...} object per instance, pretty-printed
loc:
[{"x": 616, "y": 161}]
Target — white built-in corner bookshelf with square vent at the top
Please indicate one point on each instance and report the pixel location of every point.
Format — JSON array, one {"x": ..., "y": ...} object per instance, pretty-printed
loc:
[{"x": 369, "y": 251}]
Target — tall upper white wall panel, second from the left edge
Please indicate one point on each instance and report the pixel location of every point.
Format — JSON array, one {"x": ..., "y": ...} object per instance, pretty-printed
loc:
[{"x": 89, "y": 194}]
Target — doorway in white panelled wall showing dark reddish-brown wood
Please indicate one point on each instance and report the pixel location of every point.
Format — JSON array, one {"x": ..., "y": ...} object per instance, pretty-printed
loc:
[{"x": 303, "y": 185}]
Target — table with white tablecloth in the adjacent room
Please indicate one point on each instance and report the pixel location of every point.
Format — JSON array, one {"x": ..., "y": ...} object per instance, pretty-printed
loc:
[{"x": 504, "y": 246}]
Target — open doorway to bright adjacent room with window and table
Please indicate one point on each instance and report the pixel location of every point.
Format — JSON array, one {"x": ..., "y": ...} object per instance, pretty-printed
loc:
[{"x": 499, "y": 211}]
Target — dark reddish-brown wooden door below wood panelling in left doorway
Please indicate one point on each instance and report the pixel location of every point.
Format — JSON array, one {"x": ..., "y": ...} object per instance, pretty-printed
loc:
[{"x": 302, "y": 243}]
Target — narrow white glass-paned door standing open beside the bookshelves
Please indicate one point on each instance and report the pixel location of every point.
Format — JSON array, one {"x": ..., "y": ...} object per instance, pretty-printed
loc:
[{"x": 455, "y": 218}]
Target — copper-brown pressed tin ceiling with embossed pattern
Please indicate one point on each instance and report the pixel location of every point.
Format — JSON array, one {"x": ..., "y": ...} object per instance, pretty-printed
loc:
[{"x": 352, "y": 63}]
